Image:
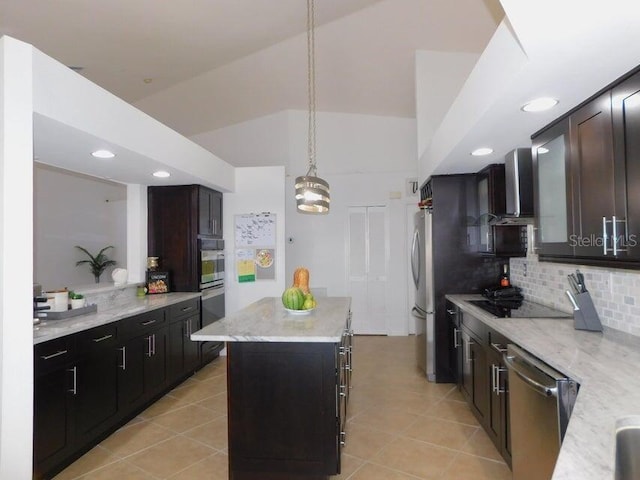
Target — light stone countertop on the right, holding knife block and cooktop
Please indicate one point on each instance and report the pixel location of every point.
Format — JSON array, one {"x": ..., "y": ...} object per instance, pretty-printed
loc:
[{"x": 606, "y": 367}]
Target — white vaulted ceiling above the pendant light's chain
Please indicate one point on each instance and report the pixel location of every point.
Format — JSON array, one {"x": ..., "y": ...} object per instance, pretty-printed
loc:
[{"x": 365, "y": 51}]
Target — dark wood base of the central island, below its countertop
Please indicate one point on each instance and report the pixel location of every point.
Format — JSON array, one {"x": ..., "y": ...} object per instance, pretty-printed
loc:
[{"x": 287, "y": 408}]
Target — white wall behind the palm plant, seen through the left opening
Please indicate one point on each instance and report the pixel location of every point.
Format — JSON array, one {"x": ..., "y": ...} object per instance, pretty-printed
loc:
[{"x": 69, "y": 210}]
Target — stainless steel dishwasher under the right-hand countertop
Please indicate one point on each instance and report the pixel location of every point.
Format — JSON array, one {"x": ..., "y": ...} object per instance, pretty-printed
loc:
[{"x": 540, "y": 403}]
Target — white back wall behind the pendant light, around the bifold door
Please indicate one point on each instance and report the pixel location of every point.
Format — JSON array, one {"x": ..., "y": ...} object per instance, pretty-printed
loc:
[{"x": 364, "y": 158}]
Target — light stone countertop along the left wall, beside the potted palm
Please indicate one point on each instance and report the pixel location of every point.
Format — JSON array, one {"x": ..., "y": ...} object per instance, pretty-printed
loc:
[{"x": 119, "y": 309}]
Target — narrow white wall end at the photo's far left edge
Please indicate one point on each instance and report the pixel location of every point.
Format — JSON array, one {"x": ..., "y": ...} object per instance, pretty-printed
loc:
[{"x": 16, "y": 259}]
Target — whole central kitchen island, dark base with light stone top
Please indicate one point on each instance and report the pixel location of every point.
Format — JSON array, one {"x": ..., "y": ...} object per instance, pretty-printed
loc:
[{"x": 287, "y": 388}]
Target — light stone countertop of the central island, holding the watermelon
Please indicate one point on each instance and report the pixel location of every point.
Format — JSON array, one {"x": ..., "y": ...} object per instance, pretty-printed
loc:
[{"x": 267, "y": 321}]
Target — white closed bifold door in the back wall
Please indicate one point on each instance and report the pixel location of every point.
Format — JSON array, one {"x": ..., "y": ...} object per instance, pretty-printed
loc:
[{"x": 368, "y": 263}]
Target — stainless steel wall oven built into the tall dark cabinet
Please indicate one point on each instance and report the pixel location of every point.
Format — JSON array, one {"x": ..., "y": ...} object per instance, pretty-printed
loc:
[{"x": 211, "y": 253}]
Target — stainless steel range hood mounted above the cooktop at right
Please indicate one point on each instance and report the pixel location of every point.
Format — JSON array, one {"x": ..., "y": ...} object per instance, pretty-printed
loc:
[{"x": 518, "y": 170}]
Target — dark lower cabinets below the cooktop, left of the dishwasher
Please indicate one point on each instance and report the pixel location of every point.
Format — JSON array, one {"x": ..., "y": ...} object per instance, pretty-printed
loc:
[{"x": 482, "y": 377}]
